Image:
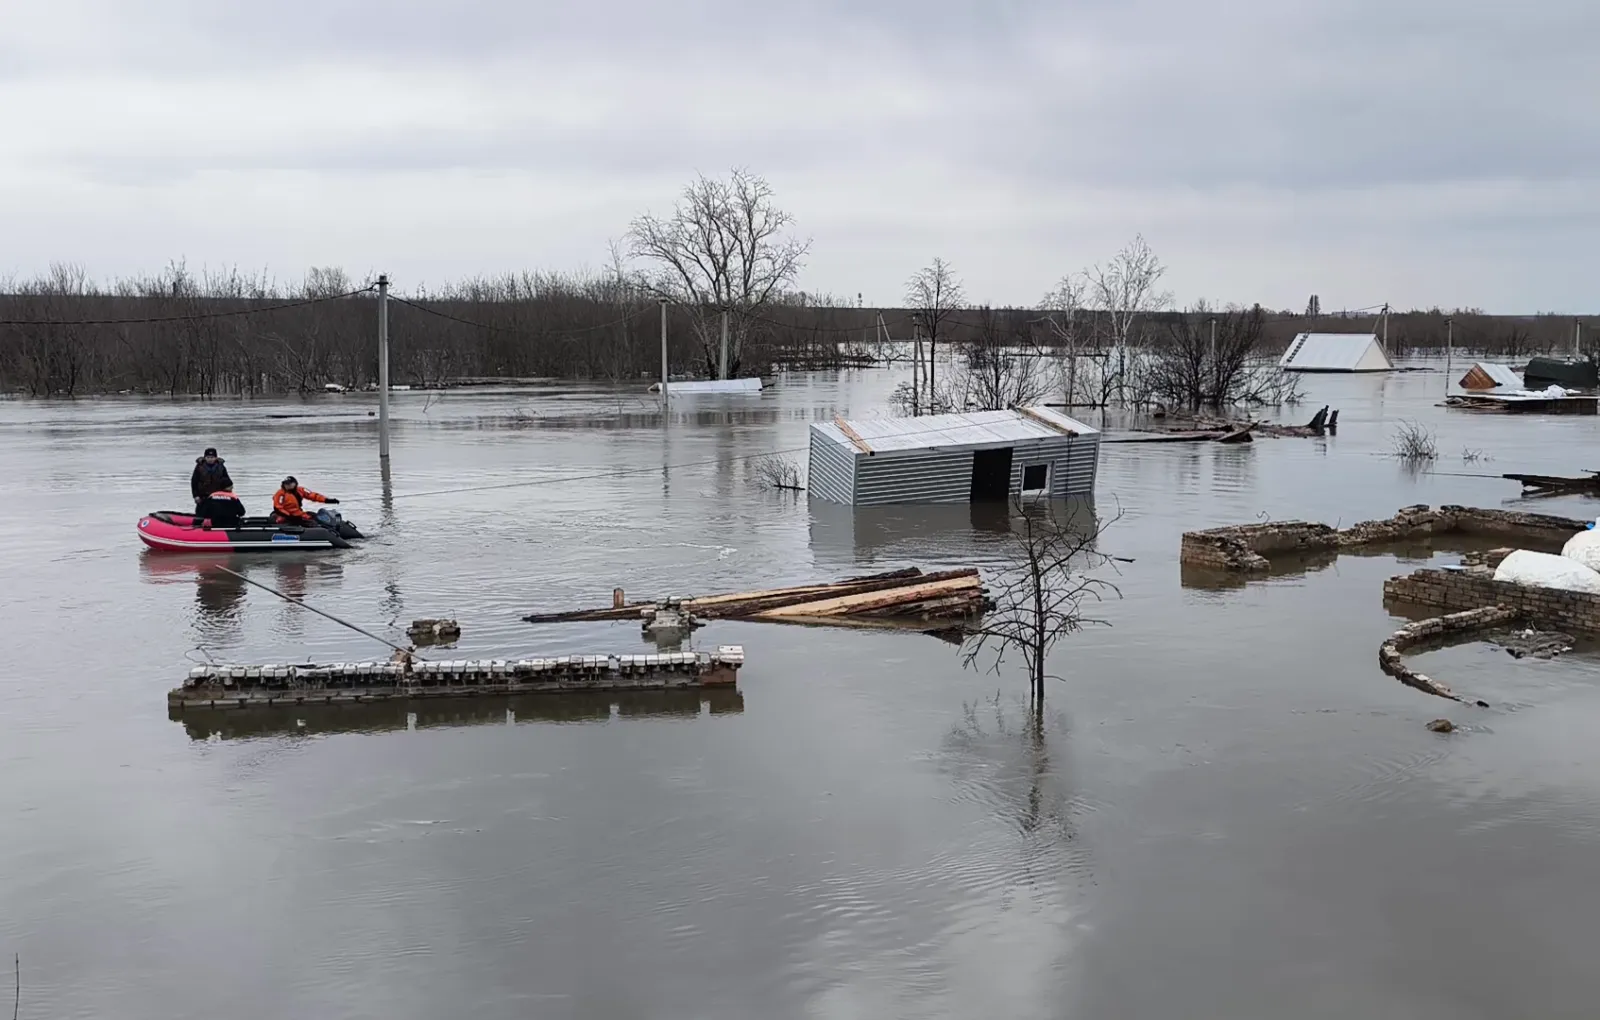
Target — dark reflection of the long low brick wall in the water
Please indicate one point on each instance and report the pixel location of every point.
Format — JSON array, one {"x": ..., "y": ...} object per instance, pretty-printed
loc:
[{"x": 391, "y": 717}]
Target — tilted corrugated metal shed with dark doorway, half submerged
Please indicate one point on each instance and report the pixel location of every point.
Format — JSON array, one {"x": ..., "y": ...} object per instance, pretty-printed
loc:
[{"x": 953, "y": 458}]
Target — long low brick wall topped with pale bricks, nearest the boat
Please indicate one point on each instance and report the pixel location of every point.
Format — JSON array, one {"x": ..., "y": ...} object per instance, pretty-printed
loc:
[{"x": 342, "y": 683}]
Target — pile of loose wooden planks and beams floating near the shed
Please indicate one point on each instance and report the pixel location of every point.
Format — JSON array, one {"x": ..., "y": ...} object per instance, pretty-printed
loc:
[{"x": 897, "y": 599}]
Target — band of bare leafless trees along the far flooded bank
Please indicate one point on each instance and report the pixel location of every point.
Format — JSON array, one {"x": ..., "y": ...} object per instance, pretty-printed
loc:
[{"x": 727, "y": 265}]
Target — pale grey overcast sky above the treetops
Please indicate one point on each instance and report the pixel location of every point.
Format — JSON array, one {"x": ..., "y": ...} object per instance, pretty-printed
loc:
[{"x": 1418, "y": 153}]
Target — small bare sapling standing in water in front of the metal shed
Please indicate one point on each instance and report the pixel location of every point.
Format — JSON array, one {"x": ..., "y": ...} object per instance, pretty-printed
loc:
[{"x": 1038, "y": 599}]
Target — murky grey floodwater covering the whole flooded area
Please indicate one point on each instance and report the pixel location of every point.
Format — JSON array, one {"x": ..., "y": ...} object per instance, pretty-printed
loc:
[{"x": 1231, "y": 811}]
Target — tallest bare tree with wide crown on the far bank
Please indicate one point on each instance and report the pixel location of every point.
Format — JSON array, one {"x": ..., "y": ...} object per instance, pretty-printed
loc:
[{"x": 726, "y": 249}]
